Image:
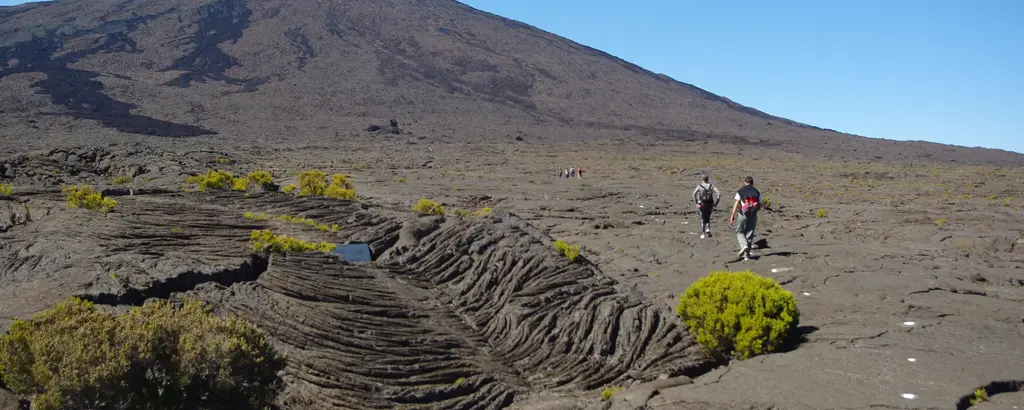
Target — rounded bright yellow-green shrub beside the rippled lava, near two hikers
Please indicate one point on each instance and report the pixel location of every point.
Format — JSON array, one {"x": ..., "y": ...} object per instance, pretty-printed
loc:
[{"x": 739, "y": 315}]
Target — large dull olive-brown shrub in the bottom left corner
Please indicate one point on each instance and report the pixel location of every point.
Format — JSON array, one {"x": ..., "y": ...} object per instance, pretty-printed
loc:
[{"x": 74, "y": 356}]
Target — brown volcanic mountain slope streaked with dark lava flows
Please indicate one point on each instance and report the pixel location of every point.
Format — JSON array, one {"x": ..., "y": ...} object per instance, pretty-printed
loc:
[{"x": 284, "y": 71}]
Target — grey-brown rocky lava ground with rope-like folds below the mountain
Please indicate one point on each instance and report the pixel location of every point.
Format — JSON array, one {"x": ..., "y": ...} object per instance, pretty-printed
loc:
[{"x": 909, "y": 277}]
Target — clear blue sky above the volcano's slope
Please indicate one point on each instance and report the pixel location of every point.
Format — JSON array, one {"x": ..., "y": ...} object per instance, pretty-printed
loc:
[{"x": 944, "y": 71}]
